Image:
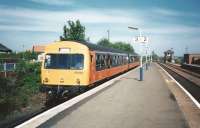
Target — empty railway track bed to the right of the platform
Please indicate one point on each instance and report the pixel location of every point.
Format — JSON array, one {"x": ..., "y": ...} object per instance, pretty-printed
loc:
[{"x": 188, "y": 79}]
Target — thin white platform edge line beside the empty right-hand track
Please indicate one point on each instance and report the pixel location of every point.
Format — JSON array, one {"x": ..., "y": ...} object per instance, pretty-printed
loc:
[{"x": 189, "y": 95}]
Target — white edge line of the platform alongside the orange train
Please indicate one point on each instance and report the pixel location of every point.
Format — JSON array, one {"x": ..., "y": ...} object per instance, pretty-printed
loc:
[{"x": 45, "y": 116}]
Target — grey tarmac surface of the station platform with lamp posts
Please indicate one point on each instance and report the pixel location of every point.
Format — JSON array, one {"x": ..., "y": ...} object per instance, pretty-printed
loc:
[{"x": 128, "y": 103}]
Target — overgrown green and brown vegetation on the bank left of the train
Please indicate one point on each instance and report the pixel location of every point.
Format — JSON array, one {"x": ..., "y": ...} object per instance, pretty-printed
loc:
[{"x": 20, "y": 91}]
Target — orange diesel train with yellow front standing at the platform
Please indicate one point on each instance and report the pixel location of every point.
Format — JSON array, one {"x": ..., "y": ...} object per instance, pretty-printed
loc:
[{"x": 72, "y": 66}]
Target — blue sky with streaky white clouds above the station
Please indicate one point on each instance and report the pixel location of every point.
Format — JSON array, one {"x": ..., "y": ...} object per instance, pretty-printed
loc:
[{"x": 167, "y": 23}]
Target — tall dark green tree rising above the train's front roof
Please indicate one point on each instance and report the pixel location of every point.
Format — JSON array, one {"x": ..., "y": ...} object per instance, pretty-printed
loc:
[{"x": 75, "y": 31}]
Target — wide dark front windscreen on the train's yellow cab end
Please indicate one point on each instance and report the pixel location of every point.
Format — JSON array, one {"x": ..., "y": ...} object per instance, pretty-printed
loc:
[{"x": 64, "y": 61}]
